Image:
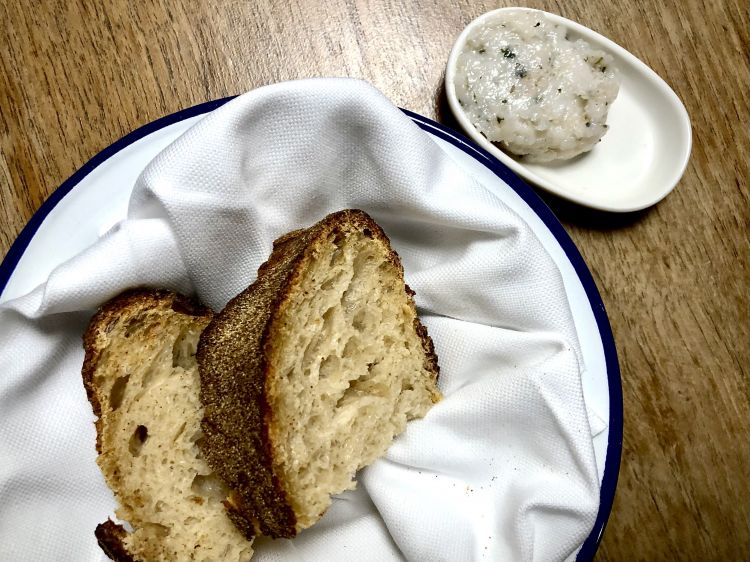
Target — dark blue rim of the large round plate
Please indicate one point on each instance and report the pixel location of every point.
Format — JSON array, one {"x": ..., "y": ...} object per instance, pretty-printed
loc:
[{"x": 614, "y": 443}]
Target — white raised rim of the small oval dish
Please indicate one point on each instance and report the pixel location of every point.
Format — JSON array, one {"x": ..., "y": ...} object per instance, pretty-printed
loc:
[{"x": 668, "y": 93}]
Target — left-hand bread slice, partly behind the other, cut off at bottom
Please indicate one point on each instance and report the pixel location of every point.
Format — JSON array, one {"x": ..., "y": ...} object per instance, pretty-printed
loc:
[{"x": 141, "y": 378}]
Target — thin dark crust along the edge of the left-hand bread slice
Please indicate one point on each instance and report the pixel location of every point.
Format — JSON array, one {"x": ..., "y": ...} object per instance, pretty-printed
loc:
[{"x": 109, "y": 534}]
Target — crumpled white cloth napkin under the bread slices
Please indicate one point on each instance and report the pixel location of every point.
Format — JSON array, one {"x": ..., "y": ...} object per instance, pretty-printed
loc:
[{"x": 502, "y": 469}]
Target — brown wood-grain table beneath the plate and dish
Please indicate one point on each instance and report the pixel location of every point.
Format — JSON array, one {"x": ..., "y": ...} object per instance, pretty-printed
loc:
[{"x": 675, "y": 279}]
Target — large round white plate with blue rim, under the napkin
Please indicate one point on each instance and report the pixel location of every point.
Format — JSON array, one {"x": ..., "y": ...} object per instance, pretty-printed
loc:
[{"x": 96, "y": 197}]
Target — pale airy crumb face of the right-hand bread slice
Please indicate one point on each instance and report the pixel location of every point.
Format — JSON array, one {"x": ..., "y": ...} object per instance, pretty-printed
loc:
[{"x": 349, "y": 371}]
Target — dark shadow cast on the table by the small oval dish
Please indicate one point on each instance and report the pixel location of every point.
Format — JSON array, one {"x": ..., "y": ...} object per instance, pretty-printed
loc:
[{"x": 566, "y": 211}]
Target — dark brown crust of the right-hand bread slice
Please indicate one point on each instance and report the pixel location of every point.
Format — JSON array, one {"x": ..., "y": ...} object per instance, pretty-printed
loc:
[{"x": 234, "y": 370}]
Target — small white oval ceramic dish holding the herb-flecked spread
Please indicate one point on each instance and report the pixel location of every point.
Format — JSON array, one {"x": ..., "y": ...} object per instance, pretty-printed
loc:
[{"x": 640, "y": 159}]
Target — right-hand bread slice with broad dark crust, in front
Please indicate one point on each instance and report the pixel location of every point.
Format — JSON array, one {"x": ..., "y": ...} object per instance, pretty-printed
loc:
[{"x": 309, "y": 374}]
